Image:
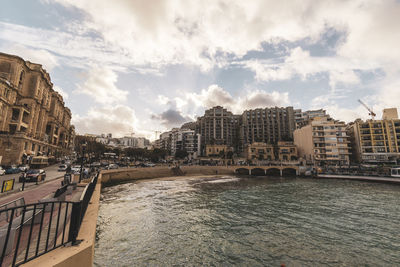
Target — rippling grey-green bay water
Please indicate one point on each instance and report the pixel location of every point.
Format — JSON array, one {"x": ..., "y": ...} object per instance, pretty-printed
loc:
[{"x": 249, "y": 222}]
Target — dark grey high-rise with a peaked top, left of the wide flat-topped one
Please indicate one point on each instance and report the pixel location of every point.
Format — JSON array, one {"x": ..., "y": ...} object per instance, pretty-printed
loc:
[{"x": 218, "y": 126}]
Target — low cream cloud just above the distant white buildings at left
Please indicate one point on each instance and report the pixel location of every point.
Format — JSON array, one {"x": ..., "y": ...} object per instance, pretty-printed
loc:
[{"x": 118, "y": 120}]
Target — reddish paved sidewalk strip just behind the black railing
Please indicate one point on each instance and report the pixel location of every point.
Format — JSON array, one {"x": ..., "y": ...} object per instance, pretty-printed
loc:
[{"x": 33, "y": 194}]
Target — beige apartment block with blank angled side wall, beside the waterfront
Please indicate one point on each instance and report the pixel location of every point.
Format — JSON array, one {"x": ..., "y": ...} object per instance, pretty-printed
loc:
[{"x": 323, "y": 141}]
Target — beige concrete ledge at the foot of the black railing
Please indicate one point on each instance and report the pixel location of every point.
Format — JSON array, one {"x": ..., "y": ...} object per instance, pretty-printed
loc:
[{"x": 82, "y": 254}]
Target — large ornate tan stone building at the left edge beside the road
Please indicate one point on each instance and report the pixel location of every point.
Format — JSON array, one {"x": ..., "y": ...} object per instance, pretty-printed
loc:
[{"x": 33, "y": 117}]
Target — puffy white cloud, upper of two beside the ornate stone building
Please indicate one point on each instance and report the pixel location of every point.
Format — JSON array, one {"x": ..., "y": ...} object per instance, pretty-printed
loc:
[{"x": 101, "y": 86}]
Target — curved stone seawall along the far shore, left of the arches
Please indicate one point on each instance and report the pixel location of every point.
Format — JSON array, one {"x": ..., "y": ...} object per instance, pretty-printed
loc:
[{"x": 130, "y": 174}]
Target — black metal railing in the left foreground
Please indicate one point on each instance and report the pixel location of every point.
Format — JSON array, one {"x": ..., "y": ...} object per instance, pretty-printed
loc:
[{"x": 29, "y": 231}]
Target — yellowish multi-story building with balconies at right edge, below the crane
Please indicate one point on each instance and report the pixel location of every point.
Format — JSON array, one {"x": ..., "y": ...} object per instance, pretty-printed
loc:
[{"x": 376, "y": 141}]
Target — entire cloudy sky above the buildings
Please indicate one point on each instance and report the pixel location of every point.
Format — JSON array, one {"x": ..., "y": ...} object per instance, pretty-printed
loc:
[{"x": 141, "y": 66}]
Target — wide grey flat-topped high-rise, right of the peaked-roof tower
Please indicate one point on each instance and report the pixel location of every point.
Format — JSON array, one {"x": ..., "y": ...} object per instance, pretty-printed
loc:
[{"x": 268, "y": 125}]
